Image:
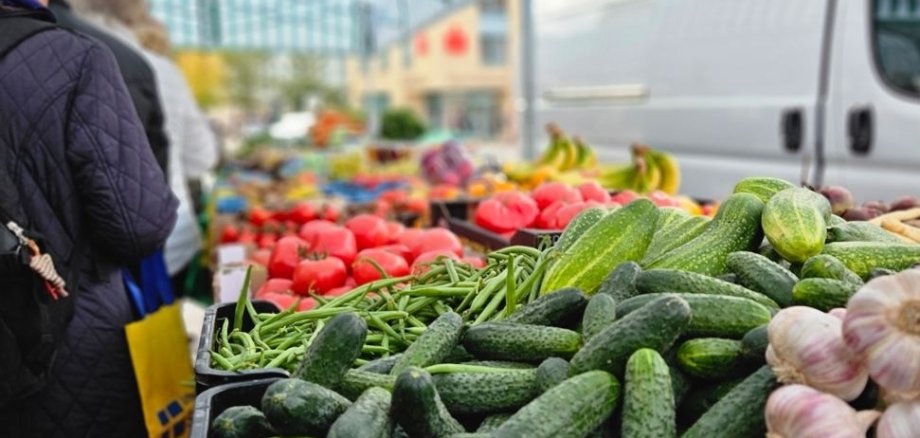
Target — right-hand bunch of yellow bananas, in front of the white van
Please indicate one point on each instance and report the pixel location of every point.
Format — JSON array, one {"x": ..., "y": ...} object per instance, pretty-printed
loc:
[{"x": 649, "y": 170}]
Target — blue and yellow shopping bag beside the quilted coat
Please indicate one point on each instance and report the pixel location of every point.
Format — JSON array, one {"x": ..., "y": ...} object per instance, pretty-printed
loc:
[{"x": 159, "y": 352}]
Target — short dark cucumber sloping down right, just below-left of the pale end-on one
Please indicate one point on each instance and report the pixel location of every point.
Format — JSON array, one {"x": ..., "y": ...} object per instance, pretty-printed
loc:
[{"x": 761, "y": 274}]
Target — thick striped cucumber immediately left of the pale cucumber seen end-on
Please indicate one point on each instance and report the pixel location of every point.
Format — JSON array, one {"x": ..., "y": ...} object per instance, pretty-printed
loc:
[{"x": 736, "y": 227}]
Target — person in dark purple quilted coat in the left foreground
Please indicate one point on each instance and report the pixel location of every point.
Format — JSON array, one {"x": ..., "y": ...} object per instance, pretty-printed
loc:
[{"x": 72, "y": 143}]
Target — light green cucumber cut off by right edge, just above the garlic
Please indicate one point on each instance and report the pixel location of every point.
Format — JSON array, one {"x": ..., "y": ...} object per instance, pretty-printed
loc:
[{"x": 863, "y": 257}]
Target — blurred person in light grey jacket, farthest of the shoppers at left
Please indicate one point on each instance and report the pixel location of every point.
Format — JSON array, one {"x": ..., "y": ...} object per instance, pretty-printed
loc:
[{"x": 193, "y": 146}]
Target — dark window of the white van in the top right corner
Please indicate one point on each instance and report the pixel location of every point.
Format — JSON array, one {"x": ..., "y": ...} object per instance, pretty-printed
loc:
[{"x": 896, "y": 24}]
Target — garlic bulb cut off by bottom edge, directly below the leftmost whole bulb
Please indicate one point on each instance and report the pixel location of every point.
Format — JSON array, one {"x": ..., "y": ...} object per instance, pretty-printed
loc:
[{"x": 797, "y": 411}]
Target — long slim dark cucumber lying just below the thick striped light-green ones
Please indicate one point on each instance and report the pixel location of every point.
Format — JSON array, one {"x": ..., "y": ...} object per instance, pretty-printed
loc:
[{"x": 669, "y": 280}]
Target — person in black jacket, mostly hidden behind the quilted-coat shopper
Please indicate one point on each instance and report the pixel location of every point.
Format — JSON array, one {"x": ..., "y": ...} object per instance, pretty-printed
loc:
[{"x": 139, "y": 78}]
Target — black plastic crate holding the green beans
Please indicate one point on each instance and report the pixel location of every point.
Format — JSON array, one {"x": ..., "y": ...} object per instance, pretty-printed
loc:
[{"x": 207, "y": 377}]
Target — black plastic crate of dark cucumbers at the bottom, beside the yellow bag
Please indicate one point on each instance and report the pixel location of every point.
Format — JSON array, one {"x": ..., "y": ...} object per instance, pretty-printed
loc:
[{"x": 209, "y": 404}]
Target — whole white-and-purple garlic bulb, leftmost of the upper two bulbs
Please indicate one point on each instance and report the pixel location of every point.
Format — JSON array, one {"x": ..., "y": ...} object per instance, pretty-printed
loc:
[{"x": 806, "y": 347}]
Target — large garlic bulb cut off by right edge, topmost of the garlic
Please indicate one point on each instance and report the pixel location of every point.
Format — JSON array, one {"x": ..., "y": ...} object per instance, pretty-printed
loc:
[{"x": 882, "y": 327}]
